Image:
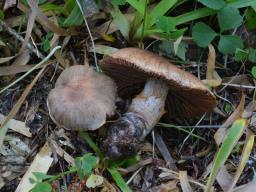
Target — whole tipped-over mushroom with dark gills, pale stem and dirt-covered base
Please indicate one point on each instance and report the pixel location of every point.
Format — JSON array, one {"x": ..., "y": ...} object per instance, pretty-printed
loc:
[{"x": 187, "y": 96}]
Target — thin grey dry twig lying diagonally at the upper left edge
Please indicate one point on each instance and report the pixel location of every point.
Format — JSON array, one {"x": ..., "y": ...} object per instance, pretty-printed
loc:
[{"x": 21, "y": 39}]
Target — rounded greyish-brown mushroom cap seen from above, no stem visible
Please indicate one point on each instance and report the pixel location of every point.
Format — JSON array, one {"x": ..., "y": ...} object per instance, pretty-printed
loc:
[{"x": 82, "y": 98}]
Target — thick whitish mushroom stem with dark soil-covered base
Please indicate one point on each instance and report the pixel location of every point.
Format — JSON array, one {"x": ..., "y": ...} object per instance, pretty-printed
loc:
[{"x": 143, "y": 114}]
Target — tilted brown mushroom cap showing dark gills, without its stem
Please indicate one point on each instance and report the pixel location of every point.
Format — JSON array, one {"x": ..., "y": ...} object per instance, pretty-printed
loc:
[{"x": 131, "y": 67}]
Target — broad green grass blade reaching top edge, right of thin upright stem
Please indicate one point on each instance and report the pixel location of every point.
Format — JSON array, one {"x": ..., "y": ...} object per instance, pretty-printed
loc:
[{"x": 160, "y": 9}]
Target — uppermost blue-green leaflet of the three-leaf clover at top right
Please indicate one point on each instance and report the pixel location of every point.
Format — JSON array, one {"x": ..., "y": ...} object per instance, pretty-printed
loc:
[{"x": 229, "y": 18}]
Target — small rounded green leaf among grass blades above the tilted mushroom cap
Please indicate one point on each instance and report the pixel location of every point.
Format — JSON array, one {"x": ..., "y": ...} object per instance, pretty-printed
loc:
[{"x": 167, "y": 24}]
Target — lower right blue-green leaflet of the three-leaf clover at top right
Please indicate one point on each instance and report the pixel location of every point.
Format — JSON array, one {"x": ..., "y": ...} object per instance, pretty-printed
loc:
[{"x": 229, "y": 43}]
